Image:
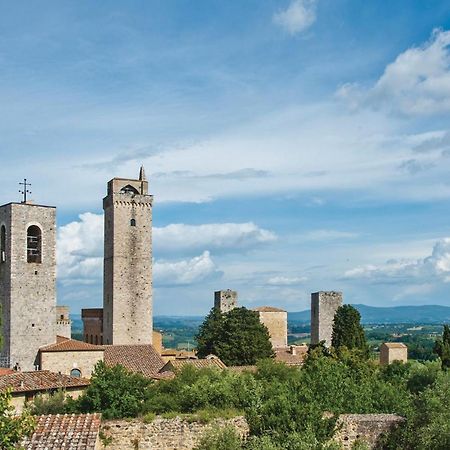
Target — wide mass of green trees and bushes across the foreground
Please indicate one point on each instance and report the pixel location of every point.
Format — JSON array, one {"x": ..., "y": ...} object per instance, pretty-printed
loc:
[{"x": 285, "y": 406}]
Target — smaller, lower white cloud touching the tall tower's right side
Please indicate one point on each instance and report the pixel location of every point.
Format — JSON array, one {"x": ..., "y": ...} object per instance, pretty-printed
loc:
[{"x": 199, "y": 268}]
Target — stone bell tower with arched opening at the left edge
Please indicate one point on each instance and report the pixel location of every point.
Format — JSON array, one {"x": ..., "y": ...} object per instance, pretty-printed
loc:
[{"x": 27, "y": 282}]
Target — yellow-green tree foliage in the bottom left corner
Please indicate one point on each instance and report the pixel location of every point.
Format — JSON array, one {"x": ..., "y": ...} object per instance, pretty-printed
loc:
[{"x": 13, "y": 428}]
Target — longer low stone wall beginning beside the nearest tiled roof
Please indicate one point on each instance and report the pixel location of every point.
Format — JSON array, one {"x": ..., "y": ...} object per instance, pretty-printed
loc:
[{"x": 162, "y": 434}]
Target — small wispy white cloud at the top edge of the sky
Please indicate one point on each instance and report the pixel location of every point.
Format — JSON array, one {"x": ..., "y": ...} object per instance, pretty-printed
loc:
[{"x": 297, "y": 17}]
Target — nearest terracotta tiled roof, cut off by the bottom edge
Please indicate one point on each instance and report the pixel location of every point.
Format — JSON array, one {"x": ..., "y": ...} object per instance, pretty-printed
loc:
[{"x": 71, "y": 432}]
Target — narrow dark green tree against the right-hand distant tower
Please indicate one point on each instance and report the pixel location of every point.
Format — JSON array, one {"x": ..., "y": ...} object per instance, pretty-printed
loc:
[{"x": 347, "y": 330}]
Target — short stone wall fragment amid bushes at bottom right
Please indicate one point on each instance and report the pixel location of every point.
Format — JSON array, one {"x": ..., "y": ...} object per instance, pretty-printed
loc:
[{"x": 364, "y": 427}]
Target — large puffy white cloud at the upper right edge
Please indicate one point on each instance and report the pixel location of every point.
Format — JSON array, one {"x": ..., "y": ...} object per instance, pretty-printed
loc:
[{"x": 416, "y": 83}]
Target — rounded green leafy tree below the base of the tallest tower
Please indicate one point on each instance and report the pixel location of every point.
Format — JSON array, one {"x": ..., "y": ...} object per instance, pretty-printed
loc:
[{"x": 115, "y": 392}]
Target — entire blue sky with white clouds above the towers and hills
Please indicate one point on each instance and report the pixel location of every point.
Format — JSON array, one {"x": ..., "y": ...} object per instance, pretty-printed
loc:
[{"x": 291, "y": 145}]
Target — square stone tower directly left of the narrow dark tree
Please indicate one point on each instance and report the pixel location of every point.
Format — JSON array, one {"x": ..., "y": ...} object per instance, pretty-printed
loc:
[{"x": 323, "y": 309}]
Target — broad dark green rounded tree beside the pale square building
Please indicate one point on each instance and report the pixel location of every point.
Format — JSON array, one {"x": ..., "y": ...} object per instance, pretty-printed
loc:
[{"x": 238, "y": 337}]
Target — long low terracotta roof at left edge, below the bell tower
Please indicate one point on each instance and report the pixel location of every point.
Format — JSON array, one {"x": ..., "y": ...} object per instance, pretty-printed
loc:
[{"x": 39, "y": 380}]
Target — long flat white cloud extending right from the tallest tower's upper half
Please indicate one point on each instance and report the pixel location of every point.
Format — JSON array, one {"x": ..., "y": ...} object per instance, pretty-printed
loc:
[{"x": 215, "y": 236}]
